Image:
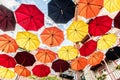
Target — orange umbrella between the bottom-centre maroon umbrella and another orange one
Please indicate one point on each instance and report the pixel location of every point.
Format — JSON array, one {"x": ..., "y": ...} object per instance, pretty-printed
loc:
[{"x": 79, "y": 63}]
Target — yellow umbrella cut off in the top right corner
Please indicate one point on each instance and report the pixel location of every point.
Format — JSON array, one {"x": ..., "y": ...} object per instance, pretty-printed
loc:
[{"x": 112, "y": 5}]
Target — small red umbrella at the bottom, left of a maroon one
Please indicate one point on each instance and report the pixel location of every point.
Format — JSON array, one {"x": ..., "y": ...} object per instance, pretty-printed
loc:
[{"x": 41, "y": 70}]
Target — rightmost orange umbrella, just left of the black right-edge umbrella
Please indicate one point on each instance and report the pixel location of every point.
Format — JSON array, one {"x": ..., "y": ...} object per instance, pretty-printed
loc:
[{"x": 95, "y": 58}]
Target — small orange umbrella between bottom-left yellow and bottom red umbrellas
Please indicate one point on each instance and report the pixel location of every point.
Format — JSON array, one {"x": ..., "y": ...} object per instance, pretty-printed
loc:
[{"x": 22, "y": 71}]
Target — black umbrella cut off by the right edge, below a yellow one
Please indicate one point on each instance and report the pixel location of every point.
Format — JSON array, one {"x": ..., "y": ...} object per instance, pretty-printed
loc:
[{"x": 113, "y": 53}]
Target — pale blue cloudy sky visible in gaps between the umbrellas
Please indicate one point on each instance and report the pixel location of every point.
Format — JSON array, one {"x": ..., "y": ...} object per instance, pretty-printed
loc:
[{"x": 42, "y": 5}]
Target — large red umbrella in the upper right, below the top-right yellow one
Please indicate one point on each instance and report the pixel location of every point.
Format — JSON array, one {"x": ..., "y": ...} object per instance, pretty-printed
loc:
[{"x": 100, "y": 25}]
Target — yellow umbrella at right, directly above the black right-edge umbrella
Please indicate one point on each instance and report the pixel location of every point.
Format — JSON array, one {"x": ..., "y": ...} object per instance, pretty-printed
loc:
[{"x": 106, "y": 41}]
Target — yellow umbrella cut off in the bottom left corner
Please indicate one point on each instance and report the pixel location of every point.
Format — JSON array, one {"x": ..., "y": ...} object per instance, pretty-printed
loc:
[{"x": 6, "y": 73}]
